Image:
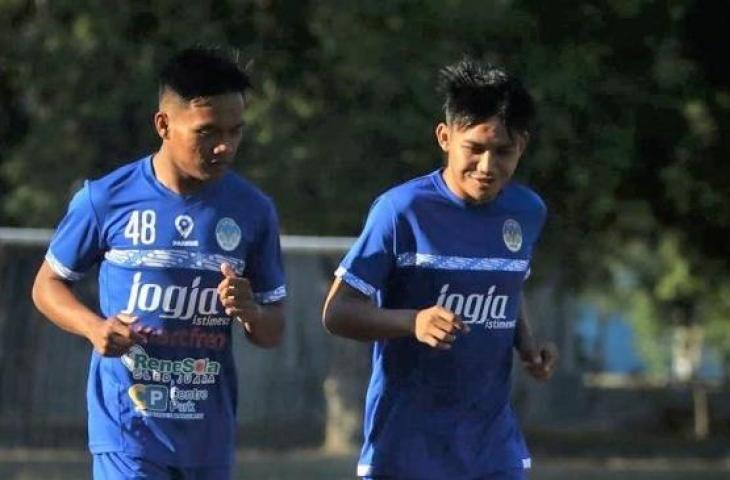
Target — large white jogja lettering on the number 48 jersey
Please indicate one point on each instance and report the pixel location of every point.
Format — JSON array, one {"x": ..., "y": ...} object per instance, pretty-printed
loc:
[{"x": 176, "y": 302}]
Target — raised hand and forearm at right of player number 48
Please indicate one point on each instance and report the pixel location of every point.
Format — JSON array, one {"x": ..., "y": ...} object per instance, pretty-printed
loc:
[{"x": 262, "y": 324}]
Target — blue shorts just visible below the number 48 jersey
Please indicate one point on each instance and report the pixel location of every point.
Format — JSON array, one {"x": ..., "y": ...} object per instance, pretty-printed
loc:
[{"x": 119, "y": 466}]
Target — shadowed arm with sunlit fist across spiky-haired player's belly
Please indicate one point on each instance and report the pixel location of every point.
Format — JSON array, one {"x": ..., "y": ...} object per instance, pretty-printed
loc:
[{"x": 349, "y": 313}]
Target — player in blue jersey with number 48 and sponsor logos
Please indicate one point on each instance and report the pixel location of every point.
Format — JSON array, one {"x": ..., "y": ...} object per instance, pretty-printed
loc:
[{"x": 187, "y": 251}]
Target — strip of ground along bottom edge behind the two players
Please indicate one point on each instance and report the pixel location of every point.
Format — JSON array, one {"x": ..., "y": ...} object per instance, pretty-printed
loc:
[{"x": 54, "y": 465}]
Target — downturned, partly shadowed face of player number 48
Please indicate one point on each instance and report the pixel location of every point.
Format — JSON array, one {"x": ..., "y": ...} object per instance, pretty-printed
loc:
[{"x": 203, "y": 135}]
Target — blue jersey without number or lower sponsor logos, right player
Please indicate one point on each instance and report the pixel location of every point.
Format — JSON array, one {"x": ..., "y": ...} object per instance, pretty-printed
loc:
[{"x": 435, "y": 414}]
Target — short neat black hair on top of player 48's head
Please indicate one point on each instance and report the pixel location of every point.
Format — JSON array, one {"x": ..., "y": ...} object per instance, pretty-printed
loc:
[{"x": 203, "y": 71}]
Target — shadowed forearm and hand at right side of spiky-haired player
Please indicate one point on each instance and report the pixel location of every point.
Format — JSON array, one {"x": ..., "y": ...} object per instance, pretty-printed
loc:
[{"x": 539, "y": 359}]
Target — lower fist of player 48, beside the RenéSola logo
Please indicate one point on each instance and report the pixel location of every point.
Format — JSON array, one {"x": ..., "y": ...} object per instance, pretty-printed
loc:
[{"x": 115, "y": 335}]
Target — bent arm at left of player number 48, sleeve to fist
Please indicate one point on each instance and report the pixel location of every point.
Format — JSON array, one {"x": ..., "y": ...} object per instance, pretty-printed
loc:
[{"x": 55, "y": 299}]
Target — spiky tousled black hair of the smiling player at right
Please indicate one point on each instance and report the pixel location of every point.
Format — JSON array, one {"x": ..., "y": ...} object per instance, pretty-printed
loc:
[{"x": 475, "y": 92}]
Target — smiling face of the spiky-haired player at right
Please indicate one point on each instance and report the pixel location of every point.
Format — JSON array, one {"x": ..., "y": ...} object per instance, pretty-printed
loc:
[{"x": 480, "y": 159}]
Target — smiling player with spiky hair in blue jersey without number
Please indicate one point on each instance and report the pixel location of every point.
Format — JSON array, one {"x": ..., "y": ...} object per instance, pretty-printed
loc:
[{"x": 435, "y": 279}]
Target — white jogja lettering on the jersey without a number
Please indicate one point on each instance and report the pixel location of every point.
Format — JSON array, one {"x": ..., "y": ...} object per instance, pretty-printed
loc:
[{"x": 478, "y": 308}]
